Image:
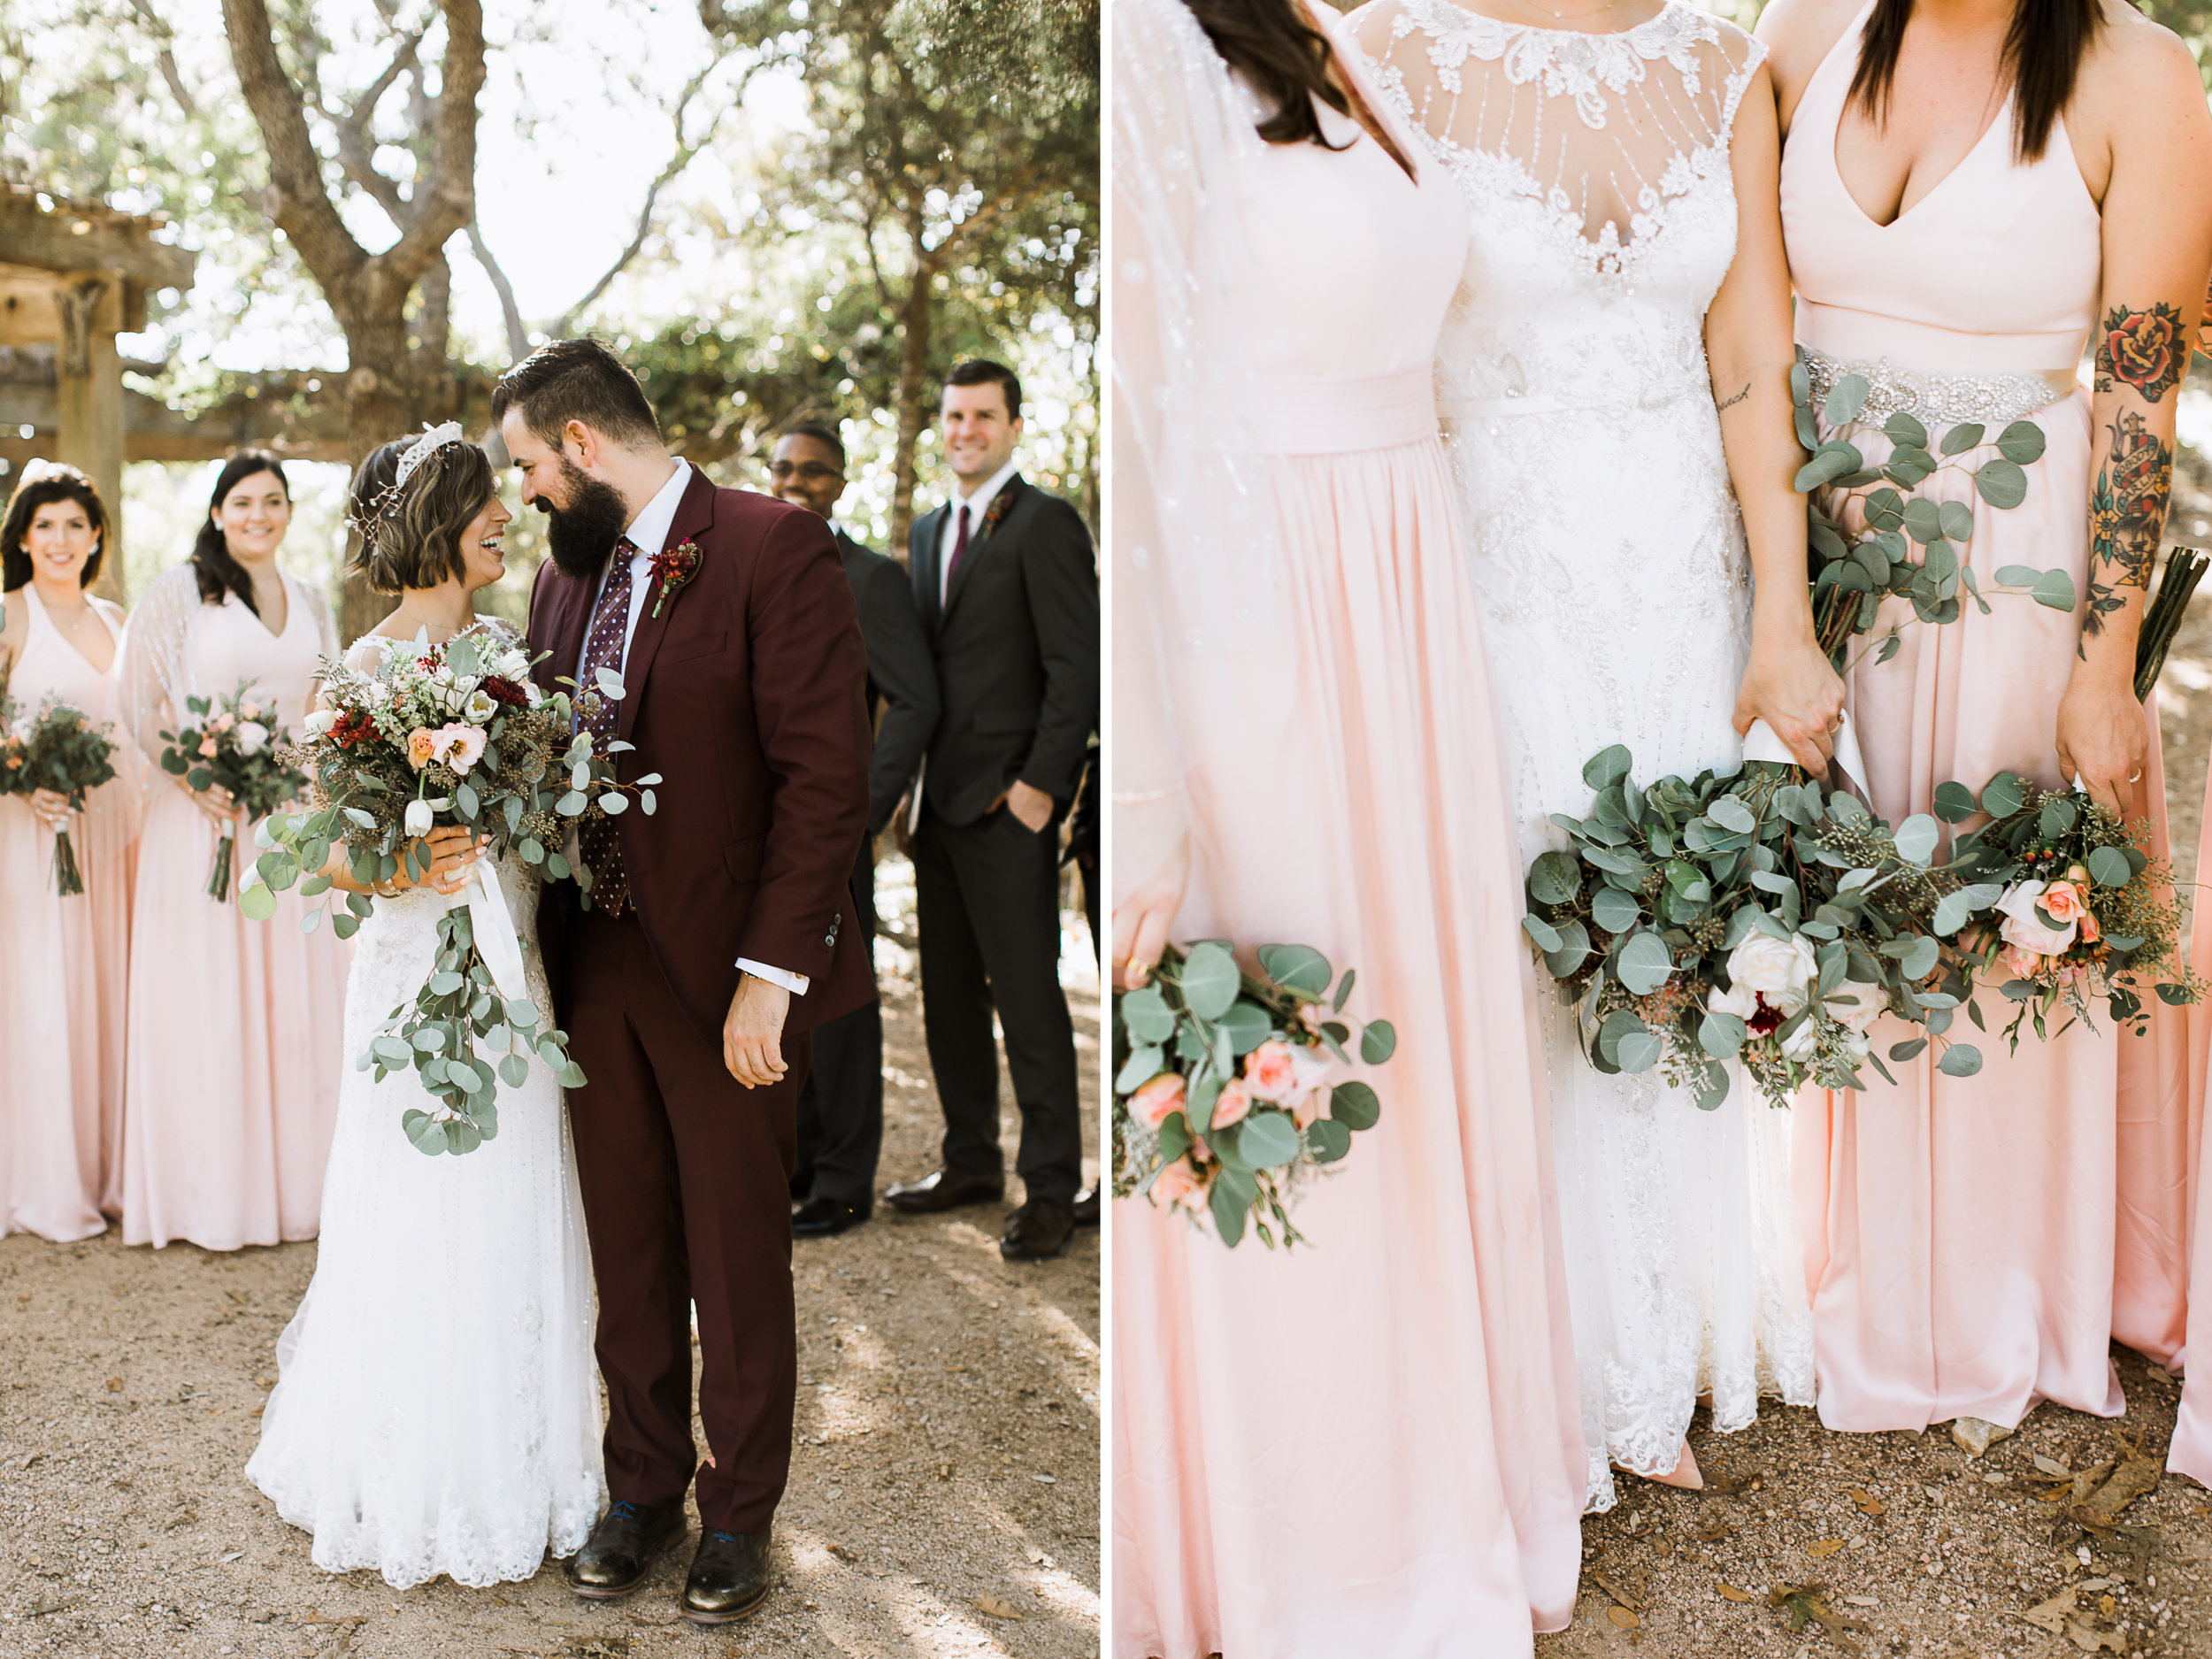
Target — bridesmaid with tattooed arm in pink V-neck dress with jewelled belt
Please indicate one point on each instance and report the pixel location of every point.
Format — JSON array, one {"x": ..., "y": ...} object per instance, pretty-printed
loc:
[{"x": 1954, "y": 233}]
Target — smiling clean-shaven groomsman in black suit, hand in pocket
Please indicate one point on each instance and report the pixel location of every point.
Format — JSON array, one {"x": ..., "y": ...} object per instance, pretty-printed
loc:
[{"x": 1008, "y": 585}]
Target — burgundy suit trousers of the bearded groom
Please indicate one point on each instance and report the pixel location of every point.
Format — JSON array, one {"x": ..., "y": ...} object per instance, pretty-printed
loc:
[{"x": 687, "y": 1196}]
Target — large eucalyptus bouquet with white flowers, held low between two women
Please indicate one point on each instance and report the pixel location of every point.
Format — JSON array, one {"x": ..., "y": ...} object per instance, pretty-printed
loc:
[{"x": 1757, "y": 917}]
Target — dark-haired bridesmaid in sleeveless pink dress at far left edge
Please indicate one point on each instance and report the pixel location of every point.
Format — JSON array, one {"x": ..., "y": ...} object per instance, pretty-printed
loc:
[{"x": 67, "y": 959}]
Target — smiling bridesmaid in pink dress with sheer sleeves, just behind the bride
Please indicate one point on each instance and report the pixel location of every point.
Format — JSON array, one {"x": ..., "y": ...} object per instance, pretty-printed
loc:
[{"x": 236, "y": 1027}]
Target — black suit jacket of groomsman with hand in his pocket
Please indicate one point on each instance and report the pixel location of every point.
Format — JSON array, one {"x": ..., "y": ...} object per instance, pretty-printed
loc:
[{"x": 1019, "y": 654}]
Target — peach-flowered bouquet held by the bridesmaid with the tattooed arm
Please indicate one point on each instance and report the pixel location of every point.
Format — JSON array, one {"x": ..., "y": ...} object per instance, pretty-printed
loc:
[{"x": 2085, "y": 910}]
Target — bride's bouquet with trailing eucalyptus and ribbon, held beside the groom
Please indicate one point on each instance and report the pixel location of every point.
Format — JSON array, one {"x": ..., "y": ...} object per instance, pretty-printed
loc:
[{"x": 448, "y": 735}]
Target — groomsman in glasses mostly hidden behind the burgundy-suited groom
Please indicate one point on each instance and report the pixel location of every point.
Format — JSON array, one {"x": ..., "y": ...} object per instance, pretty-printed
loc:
[{"x": 842, "y": 1103}]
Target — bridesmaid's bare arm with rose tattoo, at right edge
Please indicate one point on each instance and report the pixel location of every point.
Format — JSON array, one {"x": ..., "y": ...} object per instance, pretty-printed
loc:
[{"x": 2149, "y": 109}]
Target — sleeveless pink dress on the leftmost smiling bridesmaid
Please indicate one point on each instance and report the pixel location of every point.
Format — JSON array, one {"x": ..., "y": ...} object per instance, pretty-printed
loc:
[{"x": 63, "y": 970}]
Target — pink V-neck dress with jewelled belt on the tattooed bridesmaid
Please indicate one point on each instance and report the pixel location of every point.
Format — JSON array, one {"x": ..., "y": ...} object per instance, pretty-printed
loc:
[{"x": 1976, "y": 1242}]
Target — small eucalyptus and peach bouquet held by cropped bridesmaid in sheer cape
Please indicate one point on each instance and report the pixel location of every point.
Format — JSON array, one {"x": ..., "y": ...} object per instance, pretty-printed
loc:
[{"x": 1224, "y": 1098}]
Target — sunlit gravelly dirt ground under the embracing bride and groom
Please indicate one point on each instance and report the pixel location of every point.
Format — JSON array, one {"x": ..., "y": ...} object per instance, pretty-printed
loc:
[{"x": 943, "y": 1481}]
